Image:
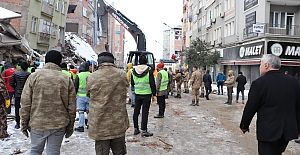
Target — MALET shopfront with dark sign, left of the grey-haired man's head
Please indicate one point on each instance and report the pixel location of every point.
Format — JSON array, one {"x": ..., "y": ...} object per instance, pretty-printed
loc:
[{"x": 244, "y": 58}]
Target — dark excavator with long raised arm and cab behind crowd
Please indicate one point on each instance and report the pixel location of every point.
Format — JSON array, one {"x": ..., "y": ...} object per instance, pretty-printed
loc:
[{"x": 103, "y": 9}]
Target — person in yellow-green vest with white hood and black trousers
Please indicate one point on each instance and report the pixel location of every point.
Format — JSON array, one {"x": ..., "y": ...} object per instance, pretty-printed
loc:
[{"x": 144, "y": 87}]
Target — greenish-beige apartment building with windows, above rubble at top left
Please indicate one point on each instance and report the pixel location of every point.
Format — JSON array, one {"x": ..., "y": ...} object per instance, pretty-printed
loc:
[{"x": 42, "y": 22}]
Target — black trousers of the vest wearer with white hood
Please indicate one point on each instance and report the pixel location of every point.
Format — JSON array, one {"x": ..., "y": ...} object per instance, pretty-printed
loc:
[{"x": 144, "y": 102}]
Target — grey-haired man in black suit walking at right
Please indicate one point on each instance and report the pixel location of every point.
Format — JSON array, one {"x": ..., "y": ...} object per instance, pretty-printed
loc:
[{"x": 275, "y": 97}]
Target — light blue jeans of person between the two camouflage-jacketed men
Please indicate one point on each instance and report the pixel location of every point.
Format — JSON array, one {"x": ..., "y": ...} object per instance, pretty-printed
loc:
[{"x": 83, "y": 105}]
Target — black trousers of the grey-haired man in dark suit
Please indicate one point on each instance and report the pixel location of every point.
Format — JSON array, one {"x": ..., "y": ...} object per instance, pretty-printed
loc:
[{"x": 272, "y": 148}]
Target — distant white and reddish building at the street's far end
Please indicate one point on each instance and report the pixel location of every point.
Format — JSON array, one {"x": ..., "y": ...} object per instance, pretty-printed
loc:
[{"x": 172, "y": 42}]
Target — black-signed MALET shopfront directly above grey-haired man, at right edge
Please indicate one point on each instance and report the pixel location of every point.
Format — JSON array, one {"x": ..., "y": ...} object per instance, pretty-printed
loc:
[{"x": 289, "y": 54}]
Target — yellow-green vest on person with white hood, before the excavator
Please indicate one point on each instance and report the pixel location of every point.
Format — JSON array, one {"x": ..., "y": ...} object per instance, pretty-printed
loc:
[{"x": 142, "y": 85}]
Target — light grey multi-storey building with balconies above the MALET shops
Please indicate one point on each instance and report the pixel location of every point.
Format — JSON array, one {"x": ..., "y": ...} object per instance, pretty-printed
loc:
[{"x": 243, "y": 30}]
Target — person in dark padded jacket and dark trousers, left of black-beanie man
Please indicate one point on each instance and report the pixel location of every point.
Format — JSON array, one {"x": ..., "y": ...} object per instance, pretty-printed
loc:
[{"x": 17, "y": 82}]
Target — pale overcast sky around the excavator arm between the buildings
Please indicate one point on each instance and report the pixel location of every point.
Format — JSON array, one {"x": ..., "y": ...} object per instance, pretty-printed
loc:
[{"x": 150, "y": 16}]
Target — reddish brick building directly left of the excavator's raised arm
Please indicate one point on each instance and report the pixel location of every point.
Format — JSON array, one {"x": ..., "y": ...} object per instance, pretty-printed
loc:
[{"x": 82, "y": 20}]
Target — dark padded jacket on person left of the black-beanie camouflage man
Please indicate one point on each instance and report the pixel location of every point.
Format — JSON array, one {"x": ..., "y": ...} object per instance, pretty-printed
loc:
[{"x": 18, "y": 80}]
